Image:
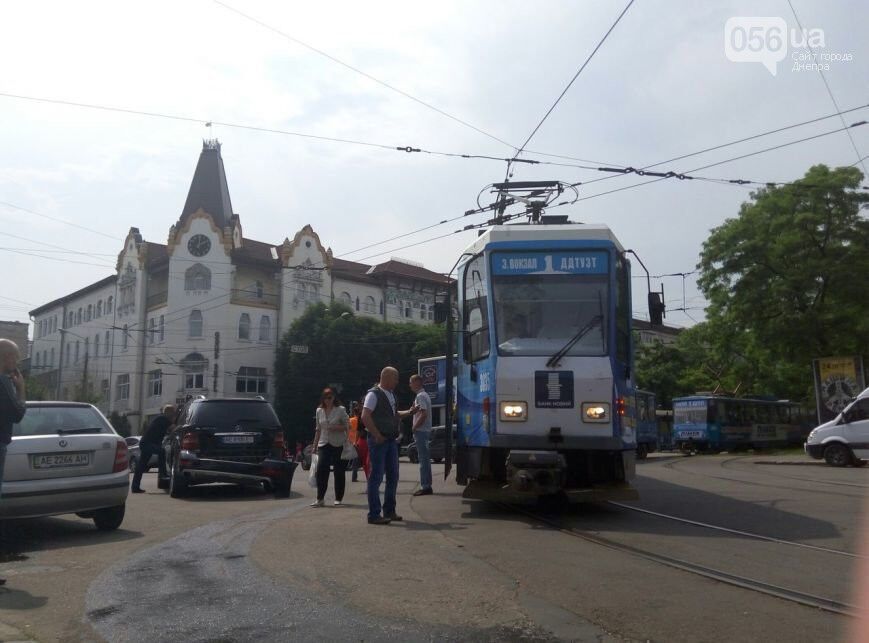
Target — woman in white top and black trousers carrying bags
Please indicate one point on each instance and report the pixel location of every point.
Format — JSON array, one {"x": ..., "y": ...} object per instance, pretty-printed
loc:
[{"x": 332, "y": 431}]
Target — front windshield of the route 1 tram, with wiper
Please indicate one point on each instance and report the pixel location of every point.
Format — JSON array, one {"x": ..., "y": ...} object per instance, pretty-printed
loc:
[{"x": 538, "y": 314}]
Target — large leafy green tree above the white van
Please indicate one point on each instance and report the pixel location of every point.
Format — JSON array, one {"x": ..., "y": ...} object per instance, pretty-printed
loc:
[{"x": 786, "y": 282}]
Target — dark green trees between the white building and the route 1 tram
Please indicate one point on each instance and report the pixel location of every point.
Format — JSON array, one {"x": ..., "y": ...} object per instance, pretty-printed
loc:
[{"x": 347, "y": 352}]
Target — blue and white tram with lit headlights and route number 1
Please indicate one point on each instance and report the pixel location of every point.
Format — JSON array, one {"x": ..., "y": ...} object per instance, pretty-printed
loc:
[{"x": 545, "y": 365}]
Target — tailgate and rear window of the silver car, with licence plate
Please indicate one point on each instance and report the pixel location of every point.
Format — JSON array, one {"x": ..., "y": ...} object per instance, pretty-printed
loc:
[{"x": 60, "y": 441}]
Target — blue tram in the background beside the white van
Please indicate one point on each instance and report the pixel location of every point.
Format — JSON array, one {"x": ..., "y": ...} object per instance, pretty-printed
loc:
[{"x": 712, "y": 423}]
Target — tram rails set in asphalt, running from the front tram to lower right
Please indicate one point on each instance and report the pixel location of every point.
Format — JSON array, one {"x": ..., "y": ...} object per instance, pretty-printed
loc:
[{"x": 736, "y": 580}]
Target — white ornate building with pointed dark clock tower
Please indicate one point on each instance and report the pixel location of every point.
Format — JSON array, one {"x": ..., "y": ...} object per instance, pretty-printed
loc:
[{"x": 203, "y": 313}]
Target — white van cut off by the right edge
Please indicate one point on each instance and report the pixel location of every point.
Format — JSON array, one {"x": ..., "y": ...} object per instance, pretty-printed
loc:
[{"x": 843, "y": 440}]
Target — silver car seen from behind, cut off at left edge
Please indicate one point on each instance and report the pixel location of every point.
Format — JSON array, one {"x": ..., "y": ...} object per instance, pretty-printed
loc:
[{"x": 64, "y": 458}]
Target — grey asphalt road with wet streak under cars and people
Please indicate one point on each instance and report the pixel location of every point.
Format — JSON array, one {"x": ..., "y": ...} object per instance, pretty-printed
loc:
[{"x": 236, "y": 565}]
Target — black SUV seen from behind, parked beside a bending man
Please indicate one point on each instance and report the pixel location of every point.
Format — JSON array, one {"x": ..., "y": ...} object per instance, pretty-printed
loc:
[{"x": 227, "y": 440}]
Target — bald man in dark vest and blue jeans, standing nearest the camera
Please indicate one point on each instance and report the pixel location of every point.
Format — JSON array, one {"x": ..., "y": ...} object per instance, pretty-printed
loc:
[{"x": 380, "y": 417}]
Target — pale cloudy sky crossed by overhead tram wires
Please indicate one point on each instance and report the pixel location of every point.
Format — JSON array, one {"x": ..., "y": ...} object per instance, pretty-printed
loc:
[{"x": 73, "y": 180}]
